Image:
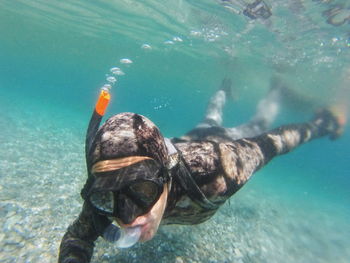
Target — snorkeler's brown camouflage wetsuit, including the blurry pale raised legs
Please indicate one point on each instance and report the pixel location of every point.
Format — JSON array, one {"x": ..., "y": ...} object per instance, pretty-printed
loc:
[{"x": 208, "y": 165}]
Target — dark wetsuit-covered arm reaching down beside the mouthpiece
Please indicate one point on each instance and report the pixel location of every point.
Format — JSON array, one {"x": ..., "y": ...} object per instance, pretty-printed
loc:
[{"x": 78, "y": 242}]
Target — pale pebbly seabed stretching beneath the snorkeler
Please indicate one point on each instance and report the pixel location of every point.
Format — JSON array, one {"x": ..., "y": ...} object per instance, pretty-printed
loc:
[{"x": 42, "y": 170}]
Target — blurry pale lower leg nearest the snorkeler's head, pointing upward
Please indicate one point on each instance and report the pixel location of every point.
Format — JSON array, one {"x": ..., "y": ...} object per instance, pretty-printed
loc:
[{"x": 213, "y": 116}]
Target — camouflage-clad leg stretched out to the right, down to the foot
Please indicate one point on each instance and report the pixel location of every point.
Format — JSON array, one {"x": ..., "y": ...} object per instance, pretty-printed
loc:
[{"x": 241, "y": 158}]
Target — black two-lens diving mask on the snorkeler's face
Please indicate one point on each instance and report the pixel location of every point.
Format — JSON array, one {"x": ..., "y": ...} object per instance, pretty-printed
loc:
[{"x": 128, "y": 192}]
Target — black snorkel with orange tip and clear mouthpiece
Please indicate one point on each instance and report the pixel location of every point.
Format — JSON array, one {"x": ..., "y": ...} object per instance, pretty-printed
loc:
[{"x": 122, "y": 237}]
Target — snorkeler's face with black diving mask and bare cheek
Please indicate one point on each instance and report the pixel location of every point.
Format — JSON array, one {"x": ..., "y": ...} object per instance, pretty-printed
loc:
[{"x": 140, "y": 194}]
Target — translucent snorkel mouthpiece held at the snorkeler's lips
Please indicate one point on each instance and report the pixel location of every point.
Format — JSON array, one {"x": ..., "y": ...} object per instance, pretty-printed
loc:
[{"x": 122, "y": 237}]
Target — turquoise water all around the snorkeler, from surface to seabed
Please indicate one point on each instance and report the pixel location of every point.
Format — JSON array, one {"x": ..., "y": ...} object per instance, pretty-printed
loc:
[{"x": 54, "y": 57}]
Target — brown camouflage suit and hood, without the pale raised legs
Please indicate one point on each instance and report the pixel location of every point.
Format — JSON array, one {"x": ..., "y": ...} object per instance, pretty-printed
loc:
[{"x": 218, "y": 164}]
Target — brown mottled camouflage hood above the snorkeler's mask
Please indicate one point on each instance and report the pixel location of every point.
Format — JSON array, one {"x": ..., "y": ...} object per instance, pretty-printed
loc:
[{"x": 128, "y": 134}]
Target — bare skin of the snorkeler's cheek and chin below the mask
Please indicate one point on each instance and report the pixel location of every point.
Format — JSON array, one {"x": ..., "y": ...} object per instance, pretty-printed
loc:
[{"x": 150, "y": 222}]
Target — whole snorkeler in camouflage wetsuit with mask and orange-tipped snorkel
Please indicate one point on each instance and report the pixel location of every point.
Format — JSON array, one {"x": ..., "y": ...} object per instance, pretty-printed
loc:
[{"x": 137, "y": 179}]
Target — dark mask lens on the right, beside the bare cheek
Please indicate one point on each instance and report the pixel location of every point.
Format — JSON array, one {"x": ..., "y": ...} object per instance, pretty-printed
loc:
[{"x": 146, "y": 192}]
